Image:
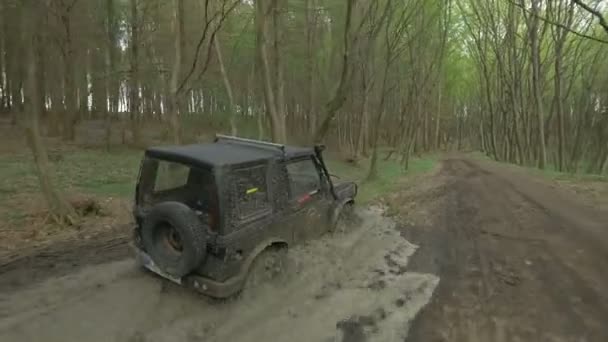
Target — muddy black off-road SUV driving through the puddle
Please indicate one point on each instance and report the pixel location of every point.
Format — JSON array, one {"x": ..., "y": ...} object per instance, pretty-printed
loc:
[{"x": 206, "y": 214}]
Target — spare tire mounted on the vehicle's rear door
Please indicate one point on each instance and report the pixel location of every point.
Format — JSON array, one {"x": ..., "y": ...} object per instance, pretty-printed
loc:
[{"x": 174, "y": 237}]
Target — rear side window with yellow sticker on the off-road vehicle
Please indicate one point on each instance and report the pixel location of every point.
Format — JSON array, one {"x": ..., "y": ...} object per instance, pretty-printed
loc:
[{"x": 251, "y": 191}]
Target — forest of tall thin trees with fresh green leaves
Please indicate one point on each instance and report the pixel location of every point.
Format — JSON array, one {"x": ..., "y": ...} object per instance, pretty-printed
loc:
[{"x": 524, "y": 81}]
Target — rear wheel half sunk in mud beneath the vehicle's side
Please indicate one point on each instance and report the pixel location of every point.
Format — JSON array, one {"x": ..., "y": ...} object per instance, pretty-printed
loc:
[{"x": 268, "y": 267}]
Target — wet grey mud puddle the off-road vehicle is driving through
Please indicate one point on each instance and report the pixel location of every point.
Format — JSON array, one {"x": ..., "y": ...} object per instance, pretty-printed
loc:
[{"x": 349, "y": 286}]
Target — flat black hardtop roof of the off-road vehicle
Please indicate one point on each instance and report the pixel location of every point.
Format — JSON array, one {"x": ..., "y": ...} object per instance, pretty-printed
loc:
[{"x": 227, "y": 151}]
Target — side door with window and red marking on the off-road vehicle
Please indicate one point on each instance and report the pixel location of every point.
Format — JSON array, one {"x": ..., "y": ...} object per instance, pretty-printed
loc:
[{"x": 307, "y": 198}]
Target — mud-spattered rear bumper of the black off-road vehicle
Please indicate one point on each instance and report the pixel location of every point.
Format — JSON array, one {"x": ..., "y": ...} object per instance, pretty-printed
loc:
[{"x": 199, "y": 283}]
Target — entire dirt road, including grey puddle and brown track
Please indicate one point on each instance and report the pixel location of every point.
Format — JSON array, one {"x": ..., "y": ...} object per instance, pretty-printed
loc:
[{"x": 500, "y": 256}]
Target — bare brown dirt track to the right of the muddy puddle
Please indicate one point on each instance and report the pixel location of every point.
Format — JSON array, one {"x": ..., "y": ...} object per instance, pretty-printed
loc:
[{"x": 518, "y": 261}]
